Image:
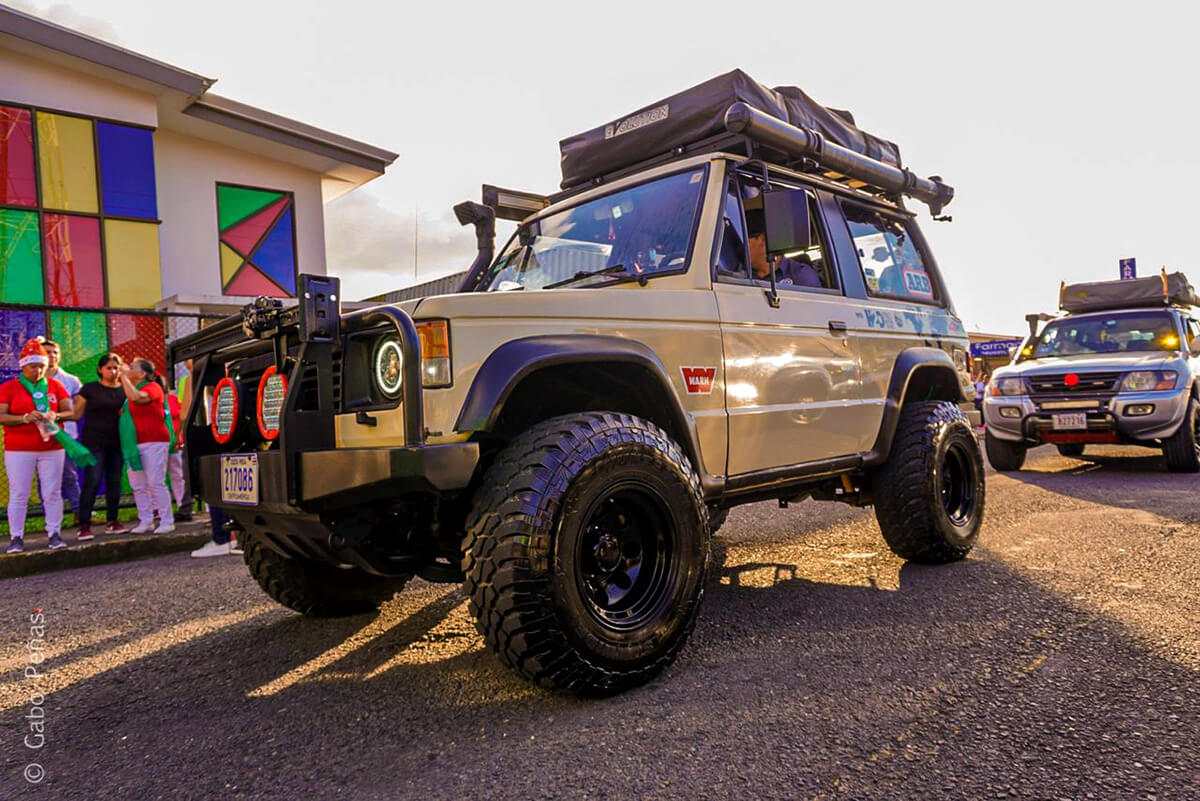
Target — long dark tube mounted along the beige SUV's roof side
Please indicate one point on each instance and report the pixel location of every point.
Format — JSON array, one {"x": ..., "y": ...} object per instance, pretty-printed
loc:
[{"x": 801, "y": 143}]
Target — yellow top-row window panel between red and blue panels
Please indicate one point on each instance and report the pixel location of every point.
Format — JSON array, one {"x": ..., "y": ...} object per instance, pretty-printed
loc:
[{"x": 67, "y": 158}]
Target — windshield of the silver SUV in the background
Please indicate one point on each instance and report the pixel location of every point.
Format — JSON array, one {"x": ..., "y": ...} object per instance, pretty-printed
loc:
[{"x": 1108, "y": 334}]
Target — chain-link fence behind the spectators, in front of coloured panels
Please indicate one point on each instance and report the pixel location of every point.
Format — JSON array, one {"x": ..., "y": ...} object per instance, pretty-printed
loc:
[{"x": 85, "y": 335}]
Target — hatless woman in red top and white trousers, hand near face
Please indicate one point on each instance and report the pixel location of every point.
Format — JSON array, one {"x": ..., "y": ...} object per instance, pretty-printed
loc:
[{"x": 146, "y": 431}]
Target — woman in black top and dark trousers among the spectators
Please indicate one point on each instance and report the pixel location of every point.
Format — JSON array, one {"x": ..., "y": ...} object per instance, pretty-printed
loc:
[{"x": 101, "y": 403}]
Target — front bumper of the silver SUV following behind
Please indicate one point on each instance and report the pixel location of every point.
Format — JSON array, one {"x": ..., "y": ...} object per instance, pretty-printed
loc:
[{"x": 1108, "y": 419}]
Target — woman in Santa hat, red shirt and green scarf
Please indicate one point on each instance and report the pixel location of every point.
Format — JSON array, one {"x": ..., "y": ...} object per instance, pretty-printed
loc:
[{"x": 29, "y": 407}]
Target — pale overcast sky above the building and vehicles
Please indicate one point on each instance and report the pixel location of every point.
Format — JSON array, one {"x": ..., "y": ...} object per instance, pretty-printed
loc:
[{"x": 1067, "y": 131}]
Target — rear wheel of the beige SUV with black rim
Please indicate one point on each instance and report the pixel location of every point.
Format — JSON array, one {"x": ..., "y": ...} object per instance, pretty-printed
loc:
[{"x": 929, "y": 496}]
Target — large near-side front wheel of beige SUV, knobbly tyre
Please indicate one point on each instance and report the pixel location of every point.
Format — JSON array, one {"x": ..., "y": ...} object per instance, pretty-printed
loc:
[{"x": 586, "y": 553}]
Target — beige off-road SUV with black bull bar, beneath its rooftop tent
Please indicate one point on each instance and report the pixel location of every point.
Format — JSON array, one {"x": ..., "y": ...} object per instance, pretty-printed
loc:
[{"x": 743, "y": 322}]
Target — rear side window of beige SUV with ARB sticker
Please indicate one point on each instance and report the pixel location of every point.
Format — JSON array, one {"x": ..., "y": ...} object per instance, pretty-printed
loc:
[{"x": 892, "y": 266}]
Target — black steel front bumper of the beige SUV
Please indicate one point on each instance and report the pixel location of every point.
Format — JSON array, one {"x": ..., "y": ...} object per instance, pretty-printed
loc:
[{"x": 347, "y": 478}]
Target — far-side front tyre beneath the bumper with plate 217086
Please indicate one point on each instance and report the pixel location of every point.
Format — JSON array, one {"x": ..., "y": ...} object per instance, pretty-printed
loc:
[{"x": 315, "y": 589}]
